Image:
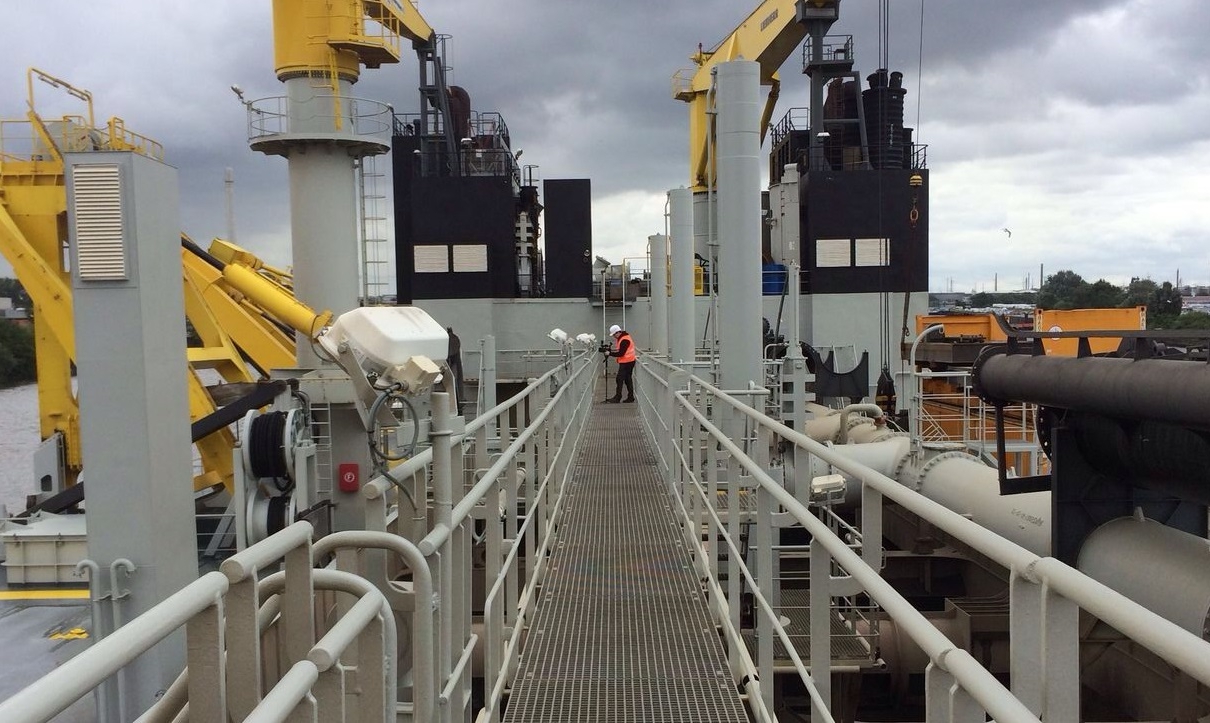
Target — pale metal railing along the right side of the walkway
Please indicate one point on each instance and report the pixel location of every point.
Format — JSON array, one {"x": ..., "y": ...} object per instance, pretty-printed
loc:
[{"x": 693, "y": 425}]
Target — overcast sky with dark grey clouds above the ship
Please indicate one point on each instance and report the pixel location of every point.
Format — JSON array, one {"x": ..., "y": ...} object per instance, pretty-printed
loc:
[{"x": 1081, "y": 126}]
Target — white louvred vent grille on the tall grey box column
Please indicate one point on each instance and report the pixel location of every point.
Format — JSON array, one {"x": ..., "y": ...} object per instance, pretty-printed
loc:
[{"x": 99, "y": 216}]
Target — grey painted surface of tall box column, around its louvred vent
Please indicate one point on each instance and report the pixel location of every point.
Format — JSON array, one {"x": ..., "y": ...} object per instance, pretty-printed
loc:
[{"x": 135, "y": 412}]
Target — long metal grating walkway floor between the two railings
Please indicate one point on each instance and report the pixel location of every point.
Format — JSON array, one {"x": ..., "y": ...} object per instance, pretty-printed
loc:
[{"x": 621, "y": 631}]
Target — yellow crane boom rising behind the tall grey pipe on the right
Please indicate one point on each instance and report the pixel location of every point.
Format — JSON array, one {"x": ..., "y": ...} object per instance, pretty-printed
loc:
[{"x": 769, "y": 36}]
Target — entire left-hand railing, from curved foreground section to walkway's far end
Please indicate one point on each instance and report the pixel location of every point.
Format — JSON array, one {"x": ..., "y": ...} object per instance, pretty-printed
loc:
[{"x": 261, "y": 643}]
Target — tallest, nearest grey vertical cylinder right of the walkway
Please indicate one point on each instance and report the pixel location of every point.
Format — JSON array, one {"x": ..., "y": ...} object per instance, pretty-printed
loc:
[{"x": 740, "y": 224}]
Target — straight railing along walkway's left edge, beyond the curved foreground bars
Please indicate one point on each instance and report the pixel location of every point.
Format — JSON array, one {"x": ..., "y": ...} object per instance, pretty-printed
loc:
[{"x": 488, "y": 493}]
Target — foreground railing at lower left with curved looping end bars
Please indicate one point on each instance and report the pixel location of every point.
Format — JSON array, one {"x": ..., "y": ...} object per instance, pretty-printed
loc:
[{"x": 320, "y": 669}]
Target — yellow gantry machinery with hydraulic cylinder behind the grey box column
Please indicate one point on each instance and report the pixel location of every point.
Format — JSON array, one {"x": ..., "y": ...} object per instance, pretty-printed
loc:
[{"x": 239, "y": 308}]
